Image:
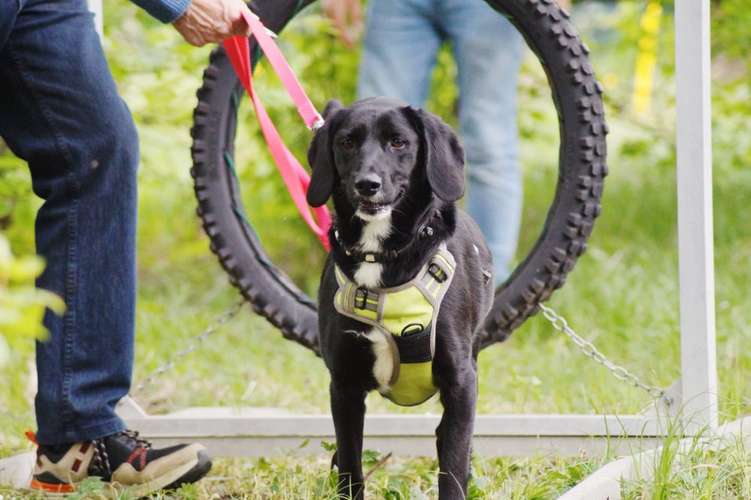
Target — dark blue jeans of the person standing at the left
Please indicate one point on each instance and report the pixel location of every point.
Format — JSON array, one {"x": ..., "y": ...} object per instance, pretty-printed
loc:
[{"x": 61, "y": 113}]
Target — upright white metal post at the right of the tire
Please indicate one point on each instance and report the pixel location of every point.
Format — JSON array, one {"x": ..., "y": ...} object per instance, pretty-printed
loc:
[{"x": 695, "y": 228}]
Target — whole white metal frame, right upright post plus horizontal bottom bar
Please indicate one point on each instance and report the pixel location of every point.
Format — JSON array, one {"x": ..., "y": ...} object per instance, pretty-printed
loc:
[{"x": 250, "y": 432}]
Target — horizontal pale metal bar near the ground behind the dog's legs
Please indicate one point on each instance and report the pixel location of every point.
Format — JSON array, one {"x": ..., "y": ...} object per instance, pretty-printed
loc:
[{"x": 233, "y": 432}]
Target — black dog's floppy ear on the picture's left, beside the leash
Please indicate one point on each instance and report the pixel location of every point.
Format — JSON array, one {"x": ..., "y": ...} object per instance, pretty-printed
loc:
[{"x": 321, "y": 158}]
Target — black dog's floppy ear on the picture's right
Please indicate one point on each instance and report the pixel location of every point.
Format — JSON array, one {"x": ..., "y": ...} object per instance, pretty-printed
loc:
[{"x": 441, "y": 152}]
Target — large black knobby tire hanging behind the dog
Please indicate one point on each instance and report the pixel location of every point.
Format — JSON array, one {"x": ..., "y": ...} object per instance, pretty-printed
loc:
[{"x": 582, "y": 168}]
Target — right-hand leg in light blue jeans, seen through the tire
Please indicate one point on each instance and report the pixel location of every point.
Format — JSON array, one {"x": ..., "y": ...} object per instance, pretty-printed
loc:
[{"x": 488, "y": 52}]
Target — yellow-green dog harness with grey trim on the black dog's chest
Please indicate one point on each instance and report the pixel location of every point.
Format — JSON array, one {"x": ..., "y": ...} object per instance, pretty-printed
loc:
[{"x": 406, "y": 315}]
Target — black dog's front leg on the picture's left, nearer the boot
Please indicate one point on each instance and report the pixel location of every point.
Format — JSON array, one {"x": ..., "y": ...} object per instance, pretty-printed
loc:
[{"x": 348, "y": 410}]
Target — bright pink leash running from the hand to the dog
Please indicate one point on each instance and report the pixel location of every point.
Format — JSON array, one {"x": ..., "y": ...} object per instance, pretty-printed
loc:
[{"x": 294, "y": 175}]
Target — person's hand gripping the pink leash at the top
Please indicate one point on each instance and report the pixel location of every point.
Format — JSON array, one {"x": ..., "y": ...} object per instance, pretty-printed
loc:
[{"x": 210, "y": 21}]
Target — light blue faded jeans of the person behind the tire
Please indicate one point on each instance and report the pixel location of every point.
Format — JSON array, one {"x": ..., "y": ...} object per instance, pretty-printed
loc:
[{"x": 401, "y": 44}]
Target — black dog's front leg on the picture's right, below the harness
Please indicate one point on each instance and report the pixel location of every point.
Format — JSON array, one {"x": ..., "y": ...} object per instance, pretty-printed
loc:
[{"x": 455, "y": 435}]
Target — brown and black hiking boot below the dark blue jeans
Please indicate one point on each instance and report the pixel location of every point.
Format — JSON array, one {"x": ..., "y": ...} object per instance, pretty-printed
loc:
[{"x": 123, "y": 459}]
